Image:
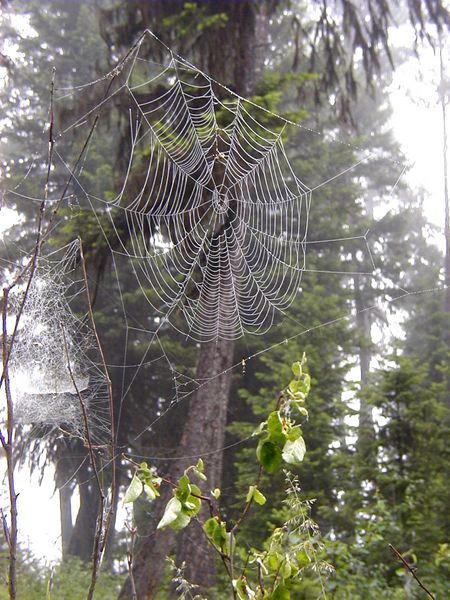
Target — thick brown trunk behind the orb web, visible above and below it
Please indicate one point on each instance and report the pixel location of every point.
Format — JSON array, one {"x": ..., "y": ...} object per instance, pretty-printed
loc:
[{"x": 235, "y": 55}]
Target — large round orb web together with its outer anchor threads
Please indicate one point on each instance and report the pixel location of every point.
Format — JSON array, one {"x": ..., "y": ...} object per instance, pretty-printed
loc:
[{"x": 206, "y": 211}]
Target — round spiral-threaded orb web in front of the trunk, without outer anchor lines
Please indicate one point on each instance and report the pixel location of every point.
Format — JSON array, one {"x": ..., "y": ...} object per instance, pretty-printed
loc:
[{"x": 209, "y": 211}]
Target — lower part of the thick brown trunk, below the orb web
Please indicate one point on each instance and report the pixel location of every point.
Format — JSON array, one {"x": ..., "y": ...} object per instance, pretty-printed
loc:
[{"x": 203, "y": 436}]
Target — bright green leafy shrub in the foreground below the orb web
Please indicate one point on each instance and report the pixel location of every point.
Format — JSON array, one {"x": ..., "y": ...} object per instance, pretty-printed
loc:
[{"x": 291, "y": 550}]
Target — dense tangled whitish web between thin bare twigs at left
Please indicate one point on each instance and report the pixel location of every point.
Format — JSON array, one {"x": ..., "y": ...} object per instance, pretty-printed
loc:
[{"x": 56, "y": 381}]
